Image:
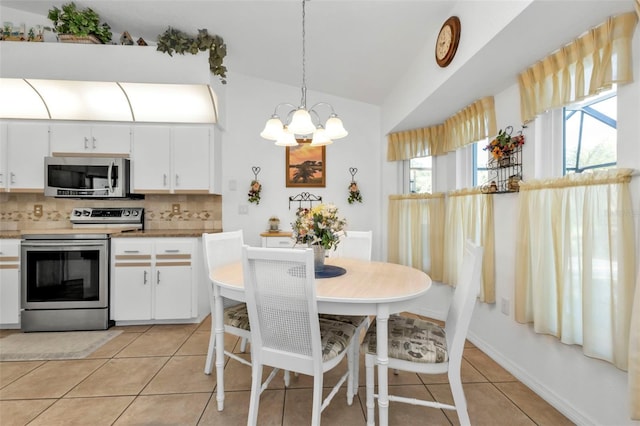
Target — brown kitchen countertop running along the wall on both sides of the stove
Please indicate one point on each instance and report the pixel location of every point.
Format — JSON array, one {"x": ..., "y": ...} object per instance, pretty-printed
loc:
[{"x": 115, "y": 233}]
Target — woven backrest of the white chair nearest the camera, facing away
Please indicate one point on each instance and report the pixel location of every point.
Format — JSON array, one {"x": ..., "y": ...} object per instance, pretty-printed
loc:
[{"x": 280, "y": 294}]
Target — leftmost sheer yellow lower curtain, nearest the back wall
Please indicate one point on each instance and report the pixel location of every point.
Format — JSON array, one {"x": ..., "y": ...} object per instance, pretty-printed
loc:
[{"x": 416, "y": 232}]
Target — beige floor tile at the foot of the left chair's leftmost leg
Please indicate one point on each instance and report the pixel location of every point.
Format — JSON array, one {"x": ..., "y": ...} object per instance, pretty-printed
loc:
[{"x": 181, "y": 374}]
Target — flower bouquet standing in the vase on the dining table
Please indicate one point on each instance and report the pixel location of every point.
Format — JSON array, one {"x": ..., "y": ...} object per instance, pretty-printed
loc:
[{"x": 319, "y": 225}]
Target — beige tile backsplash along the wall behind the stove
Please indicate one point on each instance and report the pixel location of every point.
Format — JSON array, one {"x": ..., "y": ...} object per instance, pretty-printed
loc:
[{"x": 20, "y": 211}]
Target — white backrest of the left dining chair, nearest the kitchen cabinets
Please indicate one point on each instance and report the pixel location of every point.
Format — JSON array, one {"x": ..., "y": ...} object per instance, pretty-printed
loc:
[{"x": 220, "y": 249}]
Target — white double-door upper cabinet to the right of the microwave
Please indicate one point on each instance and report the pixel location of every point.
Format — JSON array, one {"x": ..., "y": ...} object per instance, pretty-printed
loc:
[{"x": 172, "y": 159}]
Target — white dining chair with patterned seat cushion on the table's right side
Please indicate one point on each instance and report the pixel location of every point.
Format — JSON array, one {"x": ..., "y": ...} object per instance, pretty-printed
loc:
[{"x": 424, "y": 347}]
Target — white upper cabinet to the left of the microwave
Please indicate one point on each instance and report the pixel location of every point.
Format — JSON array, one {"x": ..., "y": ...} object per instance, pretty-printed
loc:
[{"x": 23, "y": 147}]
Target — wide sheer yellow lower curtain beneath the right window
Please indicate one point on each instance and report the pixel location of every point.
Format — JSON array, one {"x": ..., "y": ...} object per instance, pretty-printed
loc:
[{"x": 575, "y": 256}]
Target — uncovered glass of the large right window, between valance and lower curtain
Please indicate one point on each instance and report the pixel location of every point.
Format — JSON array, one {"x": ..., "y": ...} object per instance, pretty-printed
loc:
[{"x": 590, "y": 135}]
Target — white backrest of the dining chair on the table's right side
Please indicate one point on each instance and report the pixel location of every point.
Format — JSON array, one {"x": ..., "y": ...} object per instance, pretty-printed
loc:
[{"x": 463, "y": 301}]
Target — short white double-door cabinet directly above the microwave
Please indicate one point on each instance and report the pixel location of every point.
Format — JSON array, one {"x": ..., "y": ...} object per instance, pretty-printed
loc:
[{"x": 78, "y": 138}]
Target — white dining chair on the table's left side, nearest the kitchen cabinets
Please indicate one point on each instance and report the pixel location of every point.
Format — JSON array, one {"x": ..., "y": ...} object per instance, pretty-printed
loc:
[{"x": 221, "y": 249}]
